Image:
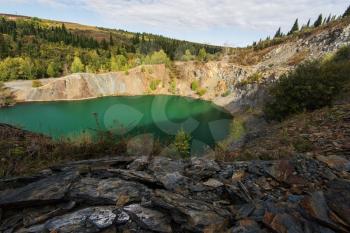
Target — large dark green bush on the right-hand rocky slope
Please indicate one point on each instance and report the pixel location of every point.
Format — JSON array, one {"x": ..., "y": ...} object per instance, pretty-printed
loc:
[{"x": 310, "y": 86}]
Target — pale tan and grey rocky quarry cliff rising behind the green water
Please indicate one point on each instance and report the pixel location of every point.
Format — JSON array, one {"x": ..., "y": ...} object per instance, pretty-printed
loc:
[{"x": 227, "y": 82}]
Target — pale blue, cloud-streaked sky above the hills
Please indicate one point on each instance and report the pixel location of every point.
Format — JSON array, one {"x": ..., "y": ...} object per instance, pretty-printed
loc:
[{"x": 232, "y": 22}]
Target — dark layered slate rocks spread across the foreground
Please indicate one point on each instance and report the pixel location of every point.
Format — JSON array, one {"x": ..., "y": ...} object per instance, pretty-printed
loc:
[{"x": 163, "y": 195}]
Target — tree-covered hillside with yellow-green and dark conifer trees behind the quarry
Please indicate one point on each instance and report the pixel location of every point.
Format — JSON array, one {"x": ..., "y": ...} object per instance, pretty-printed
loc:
[{"x": 32, "y": 48}]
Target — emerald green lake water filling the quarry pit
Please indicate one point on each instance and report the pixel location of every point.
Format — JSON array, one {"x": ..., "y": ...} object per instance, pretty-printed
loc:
[{"x": 159, "y": 116}]
